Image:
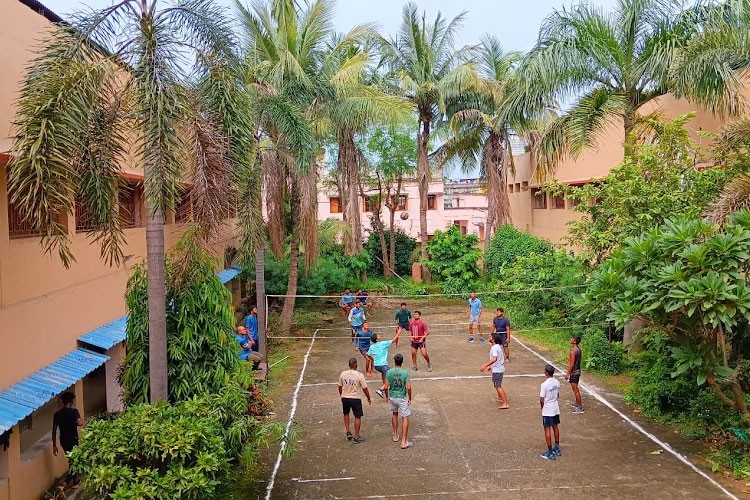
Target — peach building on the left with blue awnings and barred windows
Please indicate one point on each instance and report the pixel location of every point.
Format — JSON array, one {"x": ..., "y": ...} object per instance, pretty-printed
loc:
[{"x": 60, "y": 329}]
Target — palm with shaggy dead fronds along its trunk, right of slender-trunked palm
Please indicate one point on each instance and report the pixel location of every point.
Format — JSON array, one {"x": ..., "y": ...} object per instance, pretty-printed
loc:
[{"x": 481, "y": 128}]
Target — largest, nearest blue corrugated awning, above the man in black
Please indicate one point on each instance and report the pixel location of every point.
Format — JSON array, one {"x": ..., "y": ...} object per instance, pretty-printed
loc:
[{"x": 22, "y": 399}]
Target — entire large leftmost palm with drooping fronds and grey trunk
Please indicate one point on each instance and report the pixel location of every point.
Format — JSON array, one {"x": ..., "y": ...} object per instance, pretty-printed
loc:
[{"x": 112, "y": 86}]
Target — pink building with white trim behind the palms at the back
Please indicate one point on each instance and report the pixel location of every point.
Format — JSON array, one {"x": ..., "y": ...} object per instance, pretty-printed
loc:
[{"x": 462, "y": 203}]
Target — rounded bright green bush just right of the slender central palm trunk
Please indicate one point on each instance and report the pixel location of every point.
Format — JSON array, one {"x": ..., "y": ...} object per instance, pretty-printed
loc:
[{"x": 453, "y": 259}]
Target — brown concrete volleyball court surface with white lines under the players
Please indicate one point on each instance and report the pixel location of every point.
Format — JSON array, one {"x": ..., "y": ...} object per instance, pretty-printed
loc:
[{"x": 465, "y": 447}]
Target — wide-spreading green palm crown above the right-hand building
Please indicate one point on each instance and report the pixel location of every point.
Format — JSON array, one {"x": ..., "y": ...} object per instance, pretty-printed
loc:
[{"x": 612, "y": 63}]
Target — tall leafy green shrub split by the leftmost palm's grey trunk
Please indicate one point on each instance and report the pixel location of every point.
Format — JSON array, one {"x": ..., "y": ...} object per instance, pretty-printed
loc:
[{"x": 202, "y": 353}]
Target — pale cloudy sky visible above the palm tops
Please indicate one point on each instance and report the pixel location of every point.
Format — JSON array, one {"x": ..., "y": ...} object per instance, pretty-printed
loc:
[{"x": 515, "y": 23}]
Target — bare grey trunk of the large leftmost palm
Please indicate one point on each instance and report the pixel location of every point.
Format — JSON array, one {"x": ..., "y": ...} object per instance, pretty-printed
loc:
[{"x": 157, "y": 310}]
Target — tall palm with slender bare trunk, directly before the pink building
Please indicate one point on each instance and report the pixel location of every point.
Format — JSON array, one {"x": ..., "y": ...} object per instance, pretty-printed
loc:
[{"x": 423, "y": 58}]
